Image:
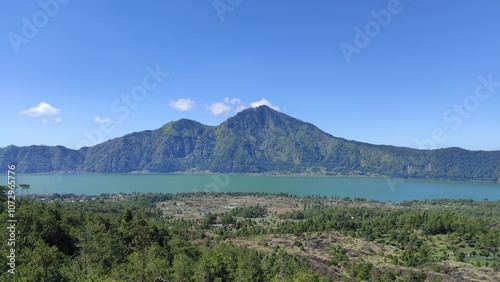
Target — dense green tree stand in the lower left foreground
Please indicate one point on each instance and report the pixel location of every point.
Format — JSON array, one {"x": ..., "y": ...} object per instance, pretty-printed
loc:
[{"x": 128, "y": 241}]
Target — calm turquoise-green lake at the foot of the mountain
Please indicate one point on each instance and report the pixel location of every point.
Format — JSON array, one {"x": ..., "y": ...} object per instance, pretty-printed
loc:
[{"x": 376, "y": 188}]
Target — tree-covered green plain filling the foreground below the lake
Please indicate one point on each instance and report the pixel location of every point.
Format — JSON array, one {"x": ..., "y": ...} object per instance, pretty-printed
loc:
[{"x": 129, "y": 238}]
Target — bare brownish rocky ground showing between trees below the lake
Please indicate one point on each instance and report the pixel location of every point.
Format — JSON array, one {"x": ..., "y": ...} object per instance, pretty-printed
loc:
[{"x": 314, "y": 246}]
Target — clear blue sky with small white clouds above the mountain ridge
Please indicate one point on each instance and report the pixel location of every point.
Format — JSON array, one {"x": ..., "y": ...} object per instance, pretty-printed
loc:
[{"x": 420, "y": 74}]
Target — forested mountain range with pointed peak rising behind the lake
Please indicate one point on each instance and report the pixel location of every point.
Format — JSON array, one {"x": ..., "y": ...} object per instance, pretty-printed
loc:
[{"x": 257, "y": 140}]
